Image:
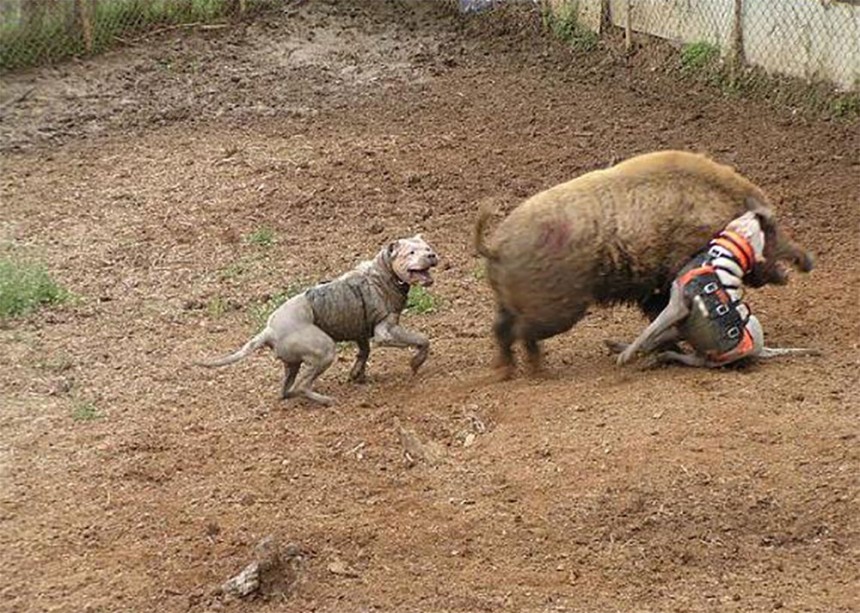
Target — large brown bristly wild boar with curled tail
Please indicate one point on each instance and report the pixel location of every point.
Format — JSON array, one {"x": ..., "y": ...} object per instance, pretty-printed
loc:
[{"x": 617, "y": 235}]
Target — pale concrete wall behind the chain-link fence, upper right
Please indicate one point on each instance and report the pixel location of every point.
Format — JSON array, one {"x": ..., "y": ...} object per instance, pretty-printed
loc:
[{"x": 804, "y": 38}]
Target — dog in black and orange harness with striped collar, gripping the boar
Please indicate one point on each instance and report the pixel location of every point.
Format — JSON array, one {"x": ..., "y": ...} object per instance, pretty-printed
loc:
[{"x": 706, "y": 307}]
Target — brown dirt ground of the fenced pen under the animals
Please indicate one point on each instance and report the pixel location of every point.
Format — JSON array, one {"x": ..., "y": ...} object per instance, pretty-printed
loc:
[{"x": 137, "y": 177}]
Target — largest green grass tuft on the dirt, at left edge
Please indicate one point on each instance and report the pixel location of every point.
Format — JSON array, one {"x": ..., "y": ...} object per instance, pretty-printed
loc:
[{"x": 26, "y": 287}]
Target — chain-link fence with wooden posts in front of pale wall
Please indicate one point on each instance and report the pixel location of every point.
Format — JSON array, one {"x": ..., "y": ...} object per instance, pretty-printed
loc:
[{"x": 794, "y": 51}]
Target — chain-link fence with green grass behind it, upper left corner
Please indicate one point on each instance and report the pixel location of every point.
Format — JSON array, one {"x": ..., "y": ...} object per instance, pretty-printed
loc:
[{"x": 38, "y": 31}]
